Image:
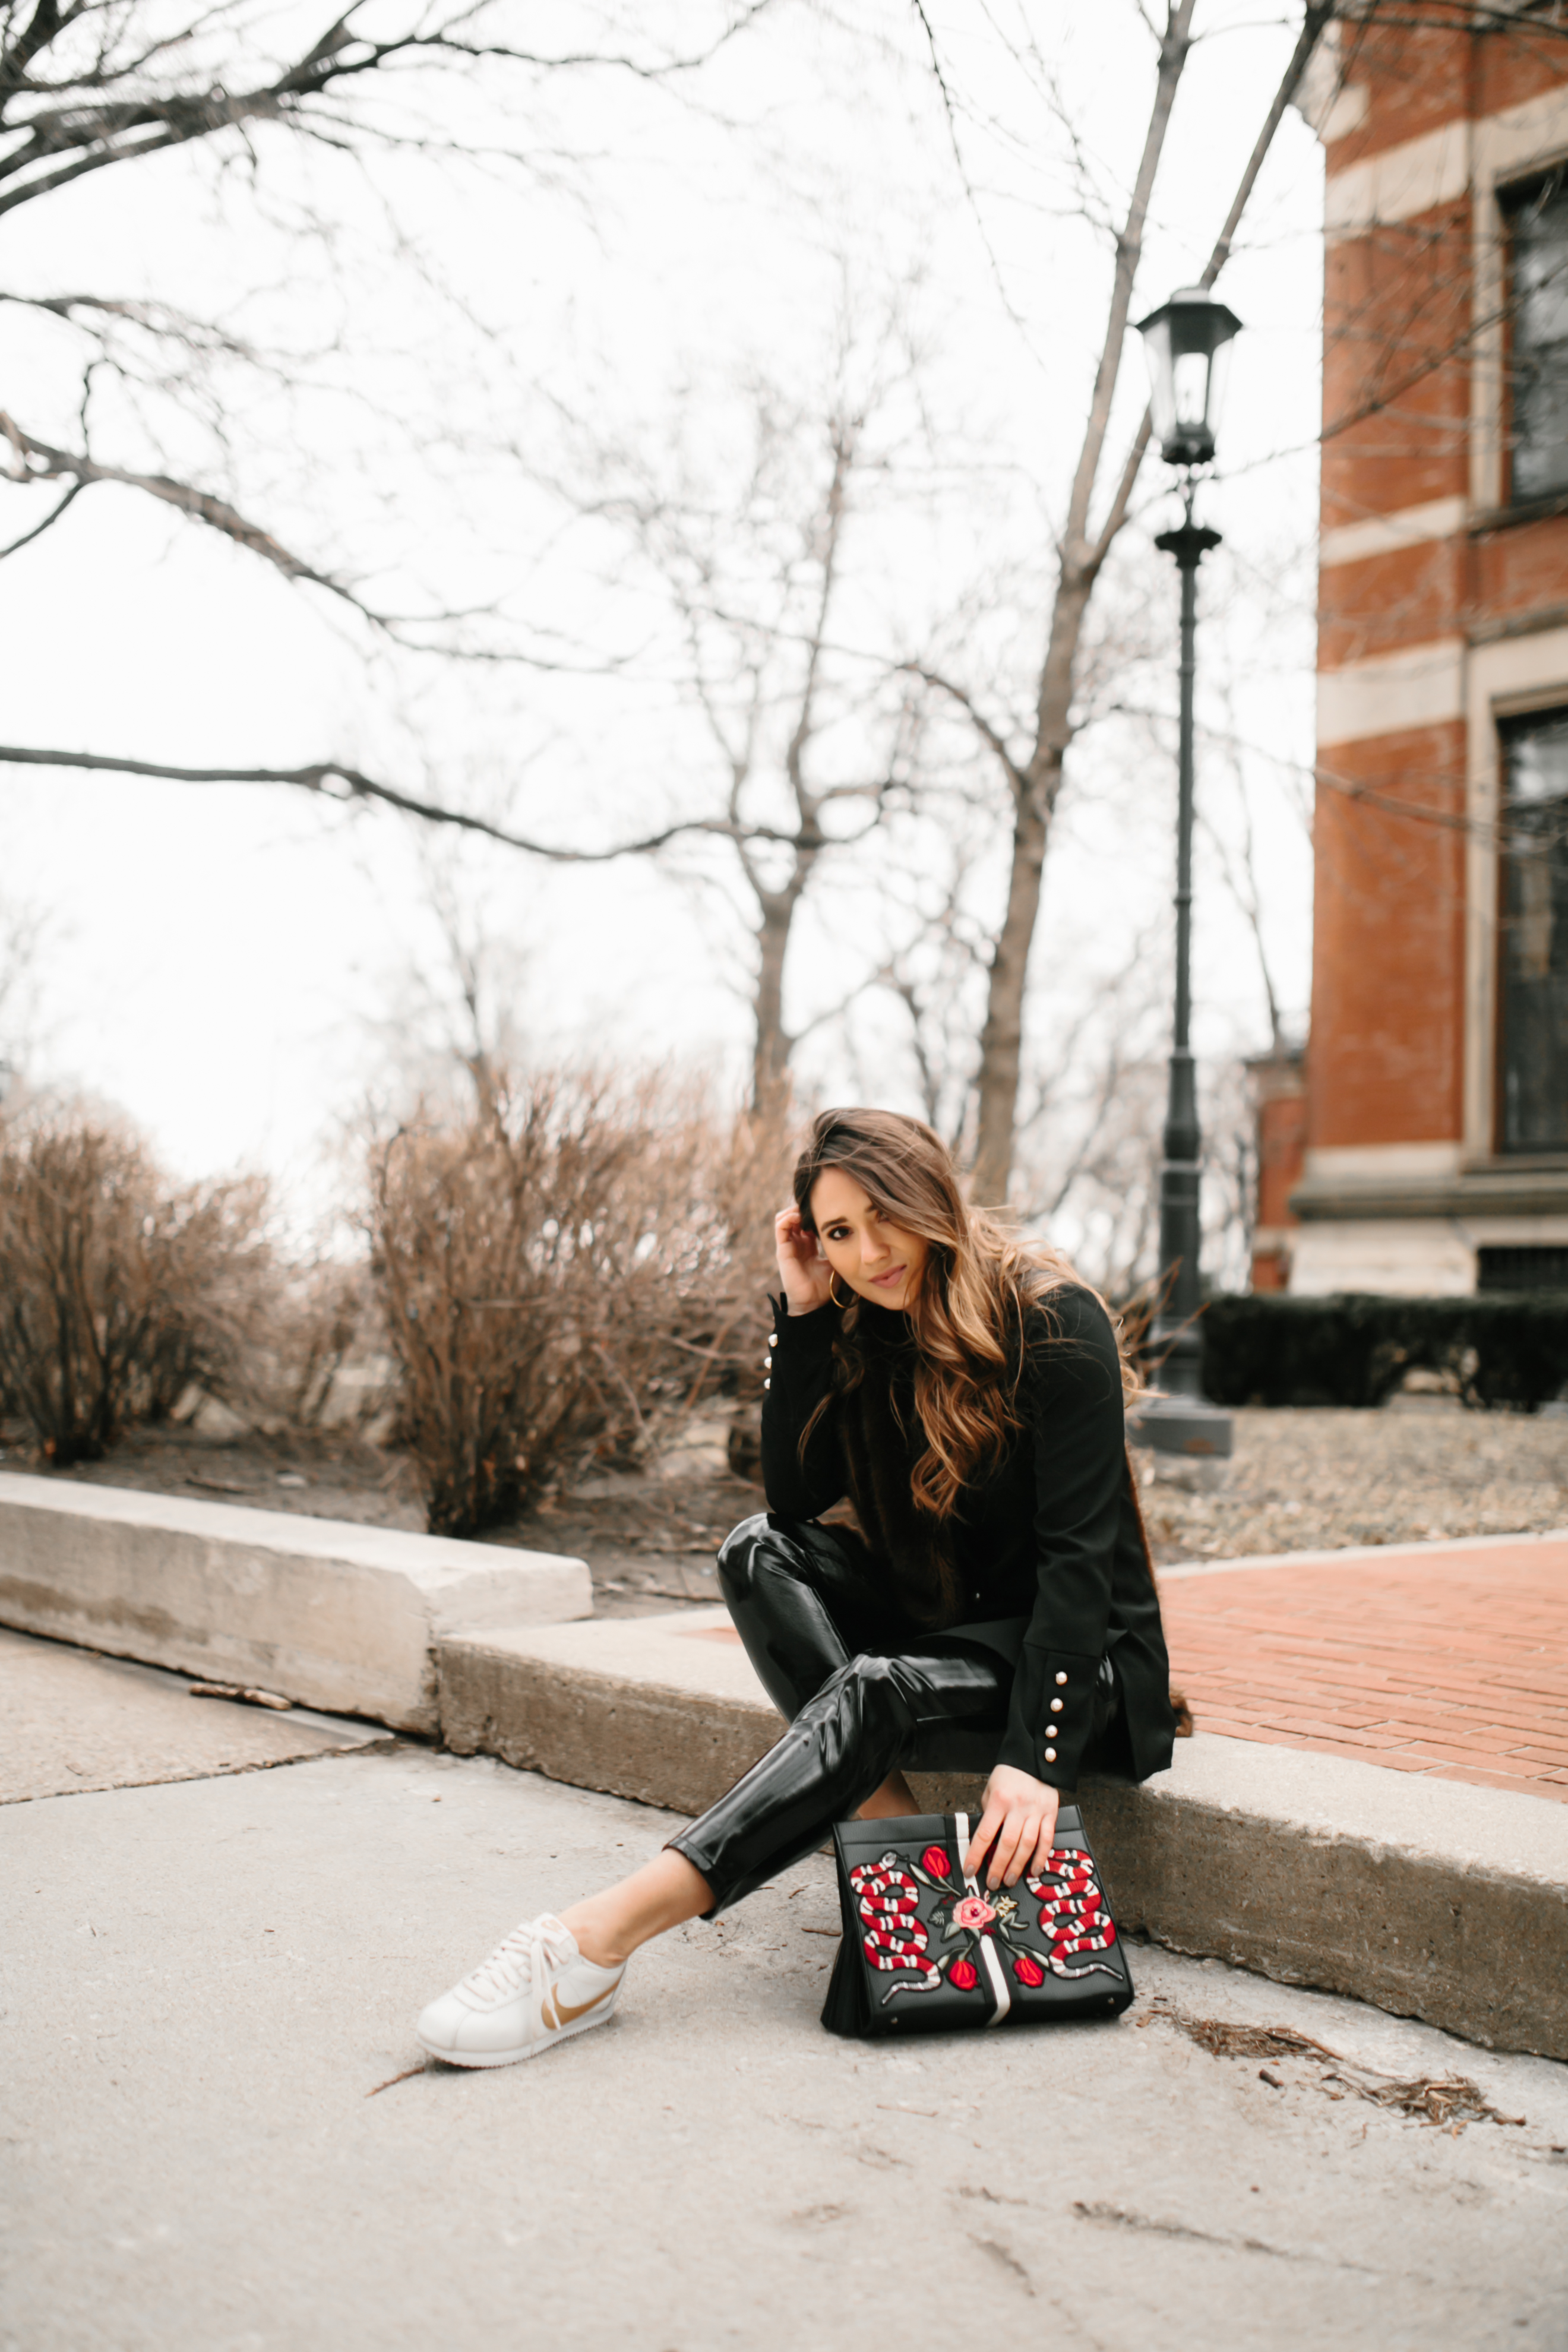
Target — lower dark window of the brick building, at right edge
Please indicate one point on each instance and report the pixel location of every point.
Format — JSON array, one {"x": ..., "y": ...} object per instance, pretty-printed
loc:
[{"x": 1534, "y": 994}]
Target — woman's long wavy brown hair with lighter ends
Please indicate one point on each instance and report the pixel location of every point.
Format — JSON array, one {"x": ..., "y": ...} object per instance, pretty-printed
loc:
[{"x": 970, "y": 1311}]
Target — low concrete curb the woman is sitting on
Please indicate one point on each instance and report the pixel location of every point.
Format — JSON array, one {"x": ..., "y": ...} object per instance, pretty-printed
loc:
[{"x": 1423, "y": 1897}]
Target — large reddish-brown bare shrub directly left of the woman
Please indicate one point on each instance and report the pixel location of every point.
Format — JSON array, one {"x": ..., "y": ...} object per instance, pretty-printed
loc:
[{"x": 556, "y": 1269}]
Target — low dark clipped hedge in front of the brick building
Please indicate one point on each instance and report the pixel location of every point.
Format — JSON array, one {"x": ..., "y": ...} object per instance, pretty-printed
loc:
[{"x": 1355, "y": 1349}]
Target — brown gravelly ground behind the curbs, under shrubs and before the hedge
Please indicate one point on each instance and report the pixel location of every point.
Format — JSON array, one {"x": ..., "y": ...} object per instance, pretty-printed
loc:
[{"x": 1301, "y": 1481}]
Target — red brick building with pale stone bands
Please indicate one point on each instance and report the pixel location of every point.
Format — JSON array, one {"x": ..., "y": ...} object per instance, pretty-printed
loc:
[{"x": 1435, "y": 1125}]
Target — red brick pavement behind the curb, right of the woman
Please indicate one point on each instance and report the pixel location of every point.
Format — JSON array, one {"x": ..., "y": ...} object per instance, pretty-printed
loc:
[{"x": 1438, "y": 1659}]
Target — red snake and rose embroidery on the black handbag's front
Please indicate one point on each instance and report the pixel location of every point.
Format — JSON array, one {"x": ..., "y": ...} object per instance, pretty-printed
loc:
[{"x": 894, "y": 1939}]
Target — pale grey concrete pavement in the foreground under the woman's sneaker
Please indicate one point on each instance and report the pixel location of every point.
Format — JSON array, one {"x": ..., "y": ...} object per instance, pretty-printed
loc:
[{"x": 210, "y": 2139}]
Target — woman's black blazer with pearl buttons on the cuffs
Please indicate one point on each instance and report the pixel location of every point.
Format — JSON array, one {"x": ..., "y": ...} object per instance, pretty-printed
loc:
[{"x": 1050, "y": 1544}]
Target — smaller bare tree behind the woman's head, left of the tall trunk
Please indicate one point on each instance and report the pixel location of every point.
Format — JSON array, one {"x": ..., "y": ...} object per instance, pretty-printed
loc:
[{"x": 817, "y": 747}]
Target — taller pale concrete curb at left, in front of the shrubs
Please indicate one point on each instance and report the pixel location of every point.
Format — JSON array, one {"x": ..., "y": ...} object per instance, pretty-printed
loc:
[{"x": 326, "y": 1612}]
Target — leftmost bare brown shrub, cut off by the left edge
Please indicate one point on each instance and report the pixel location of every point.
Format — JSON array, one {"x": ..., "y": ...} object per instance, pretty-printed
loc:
[{"x": 119, "y": 1288}]
